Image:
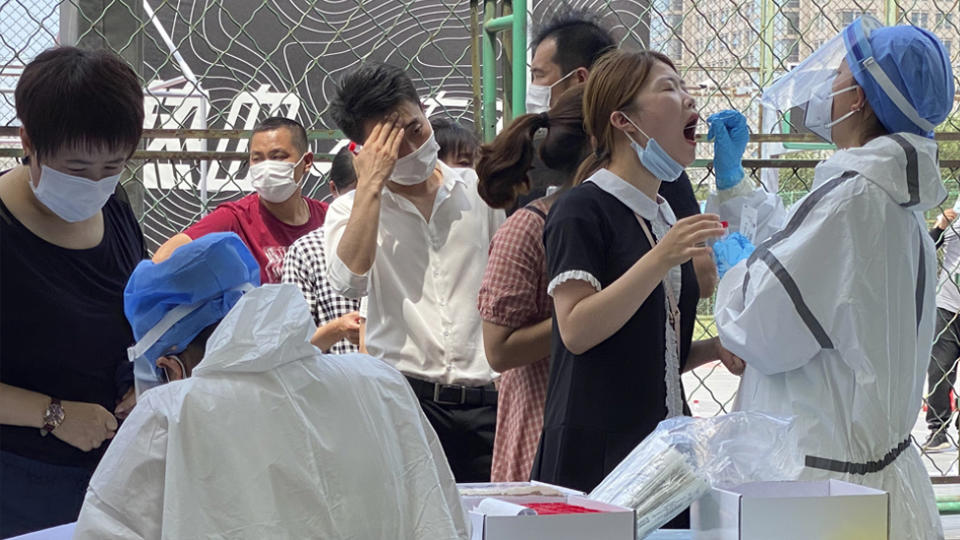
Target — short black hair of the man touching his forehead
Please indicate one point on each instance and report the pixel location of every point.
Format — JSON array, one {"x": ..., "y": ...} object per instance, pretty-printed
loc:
[{"x": 368, "y": 92}]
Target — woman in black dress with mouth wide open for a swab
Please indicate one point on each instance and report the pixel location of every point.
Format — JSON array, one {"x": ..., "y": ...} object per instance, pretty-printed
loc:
[{"x": 616, "y": 357}]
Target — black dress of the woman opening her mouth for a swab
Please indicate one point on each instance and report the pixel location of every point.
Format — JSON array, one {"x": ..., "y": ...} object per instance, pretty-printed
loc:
[{"x": 602, "y": 403}]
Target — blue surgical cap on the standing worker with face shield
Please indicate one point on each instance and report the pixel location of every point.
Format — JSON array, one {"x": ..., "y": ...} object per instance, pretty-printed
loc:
[{"x": 918, "y": 65}]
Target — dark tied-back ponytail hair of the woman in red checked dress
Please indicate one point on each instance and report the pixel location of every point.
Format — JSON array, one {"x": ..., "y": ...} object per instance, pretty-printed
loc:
[{"x": 505, "y": 162}]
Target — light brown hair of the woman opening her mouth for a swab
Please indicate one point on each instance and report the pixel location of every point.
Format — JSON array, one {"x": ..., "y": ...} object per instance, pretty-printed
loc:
[{"x": 614, "y": 82}]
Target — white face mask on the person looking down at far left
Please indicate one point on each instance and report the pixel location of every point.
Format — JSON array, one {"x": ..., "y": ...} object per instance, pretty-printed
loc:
[{"x": 73, "y": 198}]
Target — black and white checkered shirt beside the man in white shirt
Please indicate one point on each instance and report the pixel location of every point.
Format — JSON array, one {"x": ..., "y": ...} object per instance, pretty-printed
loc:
[{"x": 304, "y": 265}]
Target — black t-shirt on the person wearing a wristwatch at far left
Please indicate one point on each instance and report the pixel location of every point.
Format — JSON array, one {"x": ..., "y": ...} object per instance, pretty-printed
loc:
[{"x": 62, "y": 328}]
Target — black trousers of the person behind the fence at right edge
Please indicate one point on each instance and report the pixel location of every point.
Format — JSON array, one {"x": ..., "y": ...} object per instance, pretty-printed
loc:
[{"x": 942, "y": 372}]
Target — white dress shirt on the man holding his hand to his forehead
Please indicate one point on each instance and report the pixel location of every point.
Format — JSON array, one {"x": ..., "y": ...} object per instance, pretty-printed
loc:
[{"x": 422, "y": 289}]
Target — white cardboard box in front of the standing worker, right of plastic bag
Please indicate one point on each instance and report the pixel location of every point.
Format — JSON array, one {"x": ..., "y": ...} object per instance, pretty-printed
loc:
[{"x": 826, "y": 510}]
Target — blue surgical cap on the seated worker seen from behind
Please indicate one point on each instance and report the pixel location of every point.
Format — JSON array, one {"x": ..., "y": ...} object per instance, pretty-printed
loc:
[{"x": 208, "y": 273}]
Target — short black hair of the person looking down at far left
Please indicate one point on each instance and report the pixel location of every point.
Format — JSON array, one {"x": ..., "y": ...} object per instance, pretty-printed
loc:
[{"x": 75, "y": 97}]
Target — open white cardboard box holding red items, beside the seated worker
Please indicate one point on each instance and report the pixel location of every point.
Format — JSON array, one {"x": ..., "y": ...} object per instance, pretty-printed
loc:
[{"x": 613, "y": 523}]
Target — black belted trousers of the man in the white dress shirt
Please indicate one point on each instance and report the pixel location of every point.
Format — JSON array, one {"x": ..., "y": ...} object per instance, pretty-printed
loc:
[{"x": 466, "y": 433}]
